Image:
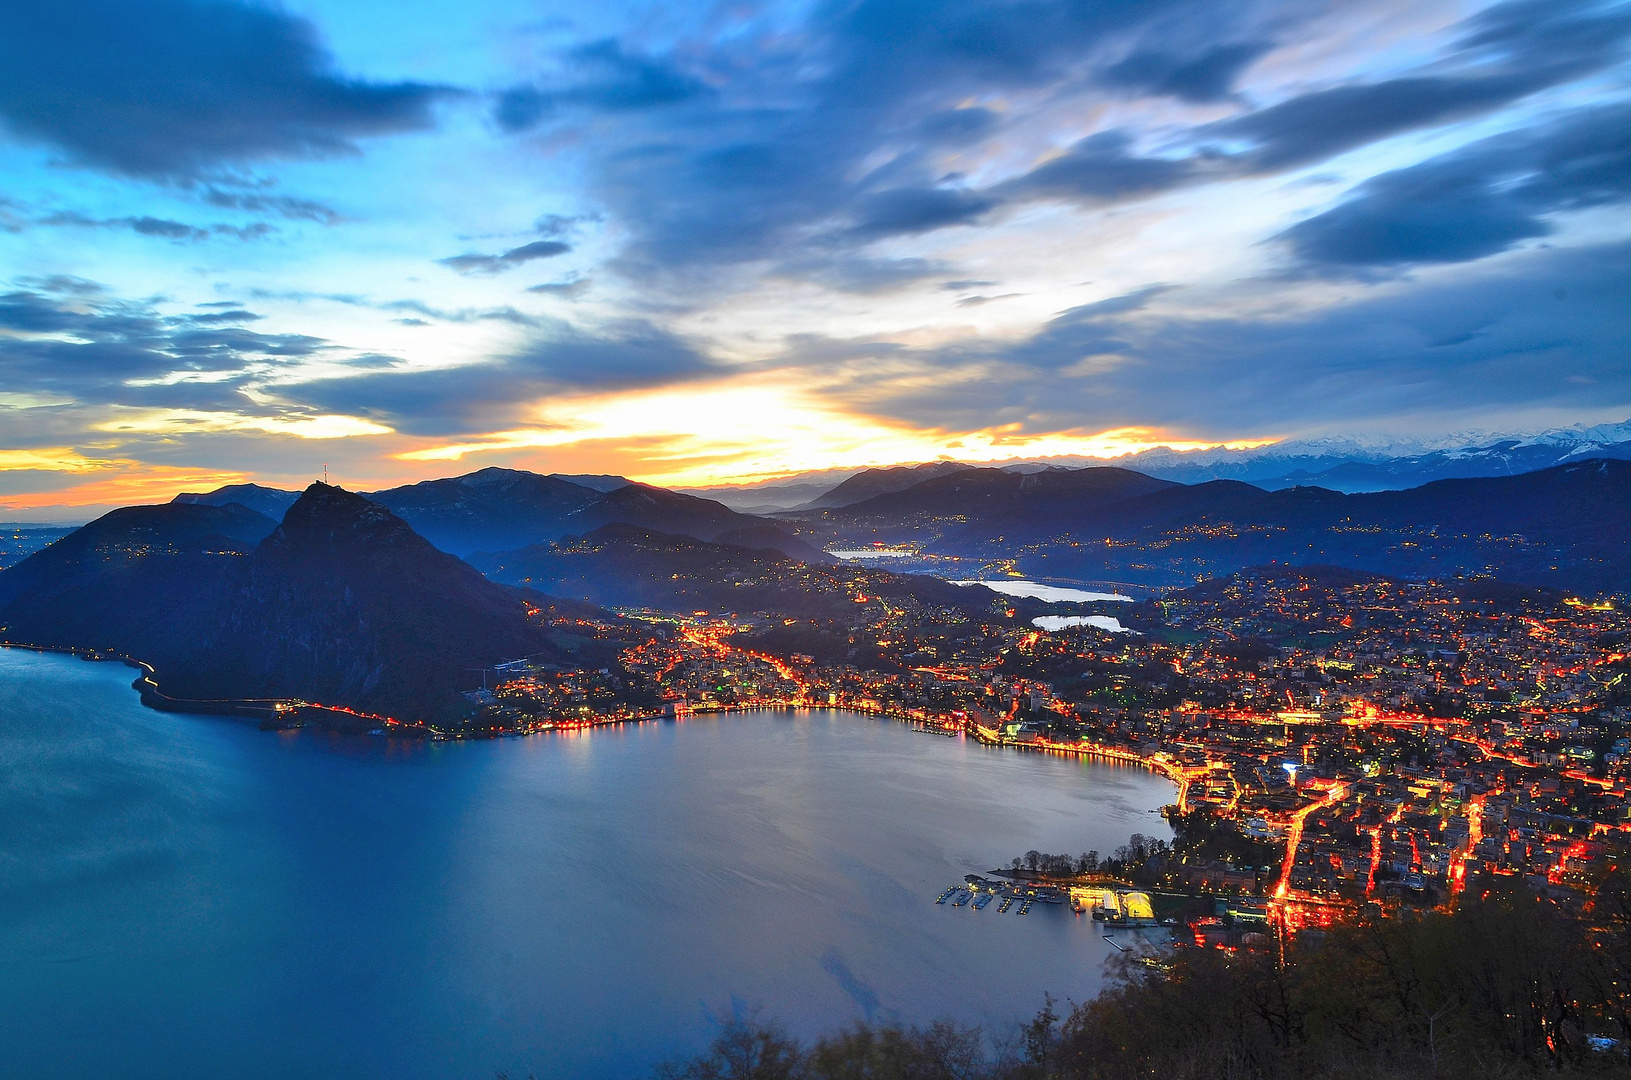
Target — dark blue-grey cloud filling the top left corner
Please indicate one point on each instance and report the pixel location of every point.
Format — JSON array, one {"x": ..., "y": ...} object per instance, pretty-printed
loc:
[{"x": 183, "y": 89}]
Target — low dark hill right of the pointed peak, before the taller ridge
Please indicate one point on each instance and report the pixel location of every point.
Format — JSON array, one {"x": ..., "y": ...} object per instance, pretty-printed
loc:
[{"x": 629, "y": 567}]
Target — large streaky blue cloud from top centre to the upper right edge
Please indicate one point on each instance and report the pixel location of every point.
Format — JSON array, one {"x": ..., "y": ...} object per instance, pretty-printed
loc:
[{"x": 753, "y": 148}]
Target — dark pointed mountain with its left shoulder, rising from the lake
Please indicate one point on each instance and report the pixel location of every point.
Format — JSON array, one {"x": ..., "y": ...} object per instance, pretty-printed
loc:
[{"x": 340, "y": 604}]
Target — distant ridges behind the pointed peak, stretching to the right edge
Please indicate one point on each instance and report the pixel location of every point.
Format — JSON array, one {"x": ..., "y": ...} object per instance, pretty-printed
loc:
[{"x": 1562, "y": 526}]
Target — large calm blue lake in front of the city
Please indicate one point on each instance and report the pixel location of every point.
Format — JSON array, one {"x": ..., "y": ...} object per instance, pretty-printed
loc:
[{"x": 188, "y": 896}]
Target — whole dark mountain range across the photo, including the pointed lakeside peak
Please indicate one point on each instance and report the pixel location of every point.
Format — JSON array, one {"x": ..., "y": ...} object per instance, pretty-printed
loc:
[{"x": 363, "y": 601}]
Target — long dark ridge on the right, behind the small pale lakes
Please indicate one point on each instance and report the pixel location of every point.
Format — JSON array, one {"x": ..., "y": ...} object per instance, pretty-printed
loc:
[{"x": 1567, "y": 526}]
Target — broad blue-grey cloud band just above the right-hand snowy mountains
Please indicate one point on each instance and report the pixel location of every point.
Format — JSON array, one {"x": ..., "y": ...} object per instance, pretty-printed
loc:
[{"x": 1544, "y": 330}]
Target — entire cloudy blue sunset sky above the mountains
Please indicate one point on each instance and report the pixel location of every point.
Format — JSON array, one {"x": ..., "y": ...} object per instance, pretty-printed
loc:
[{"x": 722, "y": 242}]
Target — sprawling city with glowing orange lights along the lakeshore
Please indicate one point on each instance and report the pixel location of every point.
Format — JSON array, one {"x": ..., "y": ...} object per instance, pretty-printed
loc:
[{"x": 1384, "y": 741}]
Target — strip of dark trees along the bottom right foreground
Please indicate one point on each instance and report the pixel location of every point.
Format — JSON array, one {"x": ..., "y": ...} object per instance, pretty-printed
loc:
[{"x": 1508, "y": 986}]
